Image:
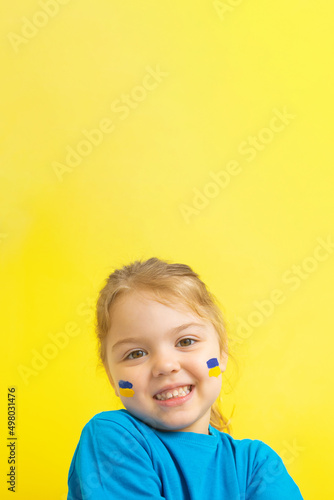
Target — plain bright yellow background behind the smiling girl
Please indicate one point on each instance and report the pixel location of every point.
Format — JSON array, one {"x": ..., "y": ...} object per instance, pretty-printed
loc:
[{"x": 227, "y": 66}]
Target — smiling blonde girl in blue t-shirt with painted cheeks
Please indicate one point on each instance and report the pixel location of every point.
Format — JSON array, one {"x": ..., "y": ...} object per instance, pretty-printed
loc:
[{"x": 164, "y": 347}]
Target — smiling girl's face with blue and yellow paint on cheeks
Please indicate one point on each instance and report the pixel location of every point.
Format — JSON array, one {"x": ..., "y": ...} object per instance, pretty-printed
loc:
[{"x": 154, "y": 350}]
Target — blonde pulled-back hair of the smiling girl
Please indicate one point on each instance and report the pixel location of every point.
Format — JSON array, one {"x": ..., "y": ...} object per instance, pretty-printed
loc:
[{"x": 168, "y": 282}]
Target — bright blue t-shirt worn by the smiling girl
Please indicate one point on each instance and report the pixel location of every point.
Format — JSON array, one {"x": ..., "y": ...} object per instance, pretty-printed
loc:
[{"x": 119, "y": 457}]
